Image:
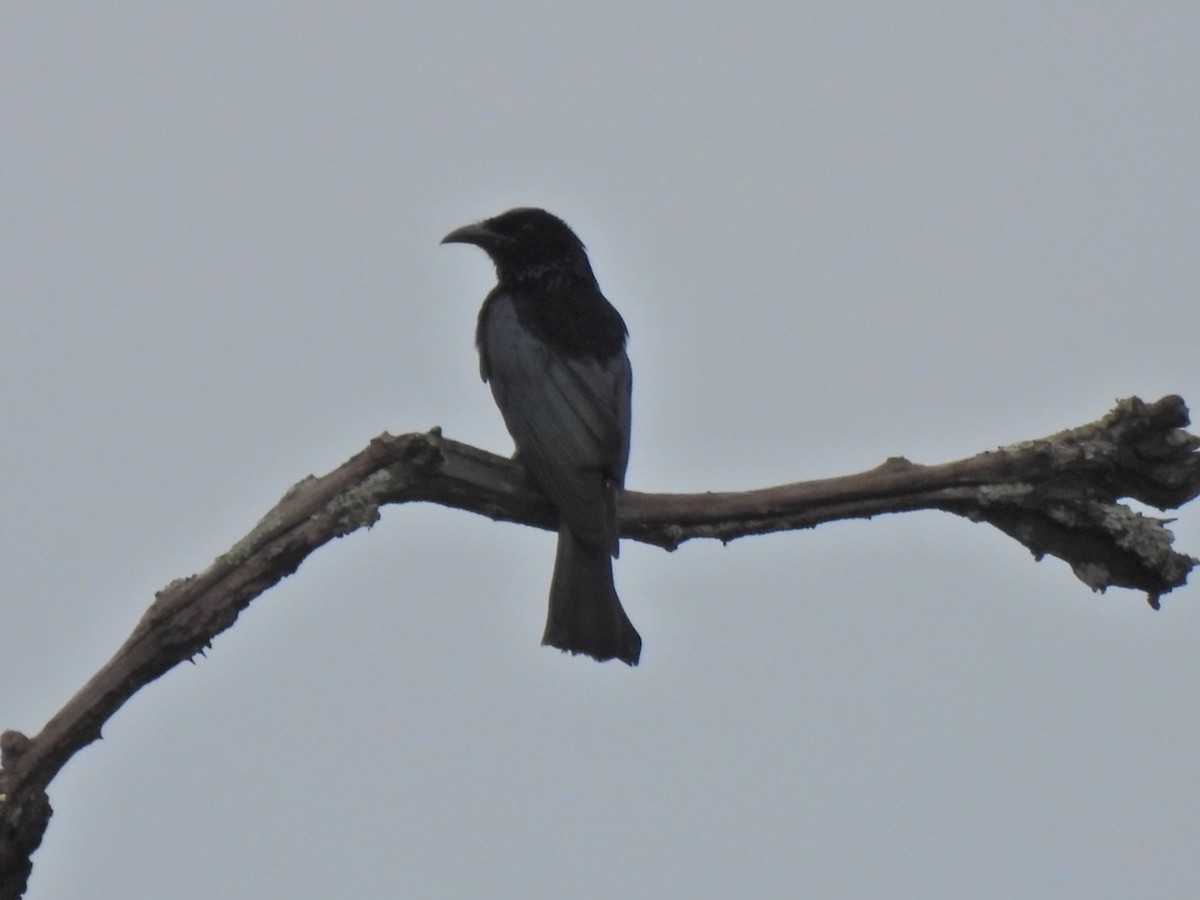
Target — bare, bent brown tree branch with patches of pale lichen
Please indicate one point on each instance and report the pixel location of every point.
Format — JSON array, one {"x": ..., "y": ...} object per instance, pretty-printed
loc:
[{"x": 1059, "y": 496}]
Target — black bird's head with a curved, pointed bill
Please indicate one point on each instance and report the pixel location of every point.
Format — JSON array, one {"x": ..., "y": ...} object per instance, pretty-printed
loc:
[{"x": 527, "y": 244}]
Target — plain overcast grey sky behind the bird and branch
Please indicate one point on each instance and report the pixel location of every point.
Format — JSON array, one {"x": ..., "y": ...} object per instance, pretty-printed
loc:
[{"x": 837, "y": 233}]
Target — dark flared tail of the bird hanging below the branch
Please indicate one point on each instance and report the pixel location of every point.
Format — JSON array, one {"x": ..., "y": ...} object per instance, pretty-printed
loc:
[{"x": 585, "y": 613}]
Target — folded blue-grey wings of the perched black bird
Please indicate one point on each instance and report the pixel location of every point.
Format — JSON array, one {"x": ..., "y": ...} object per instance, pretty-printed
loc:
[{"x": 569, "y": 419}]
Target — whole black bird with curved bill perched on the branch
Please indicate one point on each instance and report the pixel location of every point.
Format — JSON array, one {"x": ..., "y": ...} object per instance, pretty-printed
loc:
[{"x": 554, "y": 351}]
